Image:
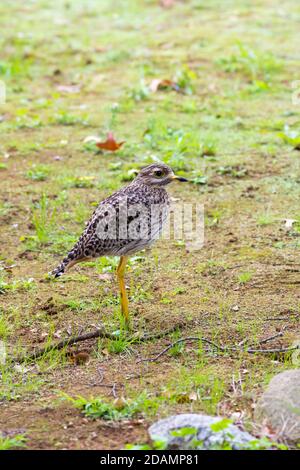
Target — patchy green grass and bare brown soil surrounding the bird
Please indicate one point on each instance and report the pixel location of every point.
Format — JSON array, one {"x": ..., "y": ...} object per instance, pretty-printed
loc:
[{"x": 229, "y": 125}]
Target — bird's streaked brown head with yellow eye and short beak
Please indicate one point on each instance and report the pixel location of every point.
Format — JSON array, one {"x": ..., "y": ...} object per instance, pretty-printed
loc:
[{"x": 157, "y": 174}]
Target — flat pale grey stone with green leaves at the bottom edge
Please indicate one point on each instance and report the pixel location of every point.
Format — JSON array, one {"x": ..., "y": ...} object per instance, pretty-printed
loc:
[{"x": 202, "y": 436}]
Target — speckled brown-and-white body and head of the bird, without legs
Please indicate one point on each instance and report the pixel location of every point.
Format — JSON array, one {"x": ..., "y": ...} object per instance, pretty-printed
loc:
[{"x": 146, "y": 190}]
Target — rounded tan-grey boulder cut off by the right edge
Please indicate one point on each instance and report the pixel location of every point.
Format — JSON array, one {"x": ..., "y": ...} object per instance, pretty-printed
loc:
[{"x": 279, "y": 406}]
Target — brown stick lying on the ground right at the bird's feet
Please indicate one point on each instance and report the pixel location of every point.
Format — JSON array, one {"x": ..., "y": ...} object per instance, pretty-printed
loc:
[{"x": 100, "y": 333}]
